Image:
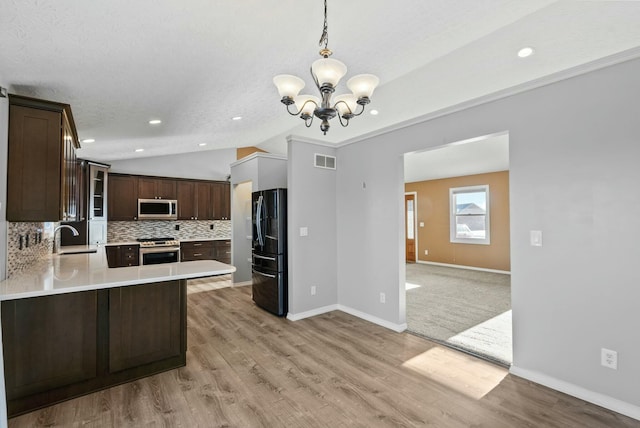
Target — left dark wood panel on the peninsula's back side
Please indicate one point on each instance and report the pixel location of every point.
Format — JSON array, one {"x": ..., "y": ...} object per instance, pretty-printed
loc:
[{"x": 49, "y": 343}]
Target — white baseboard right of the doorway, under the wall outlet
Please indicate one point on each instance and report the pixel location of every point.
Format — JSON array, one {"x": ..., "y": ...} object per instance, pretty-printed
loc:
[{"x": 601, "y": 400}]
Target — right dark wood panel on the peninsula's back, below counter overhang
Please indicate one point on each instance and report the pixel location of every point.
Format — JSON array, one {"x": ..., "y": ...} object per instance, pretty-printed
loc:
[{"x": 146, "y": 324}]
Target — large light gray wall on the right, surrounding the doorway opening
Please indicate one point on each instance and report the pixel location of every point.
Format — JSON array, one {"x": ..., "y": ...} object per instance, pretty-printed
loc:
[{"x": 574, "y": 149}]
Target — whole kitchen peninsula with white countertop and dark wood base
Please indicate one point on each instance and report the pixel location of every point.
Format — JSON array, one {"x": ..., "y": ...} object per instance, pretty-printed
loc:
[{"x": 71, "y": 325}]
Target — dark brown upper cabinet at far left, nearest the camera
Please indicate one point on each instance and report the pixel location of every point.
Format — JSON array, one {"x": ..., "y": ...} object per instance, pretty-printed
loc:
[{"x": 42, "y": 178}]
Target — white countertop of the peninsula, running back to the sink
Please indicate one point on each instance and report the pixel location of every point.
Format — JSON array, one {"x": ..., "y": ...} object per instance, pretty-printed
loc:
[{"x": 82, "y": 272}]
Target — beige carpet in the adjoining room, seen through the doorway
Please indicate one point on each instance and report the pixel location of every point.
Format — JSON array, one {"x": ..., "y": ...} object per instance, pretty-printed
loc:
[{"x": 466, "y": 309}]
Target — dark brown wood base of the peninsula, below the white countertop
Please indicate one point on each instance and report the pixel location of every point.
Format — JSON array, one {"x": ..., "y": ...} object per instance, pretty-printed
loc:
[{"x": 59, "y": 347}]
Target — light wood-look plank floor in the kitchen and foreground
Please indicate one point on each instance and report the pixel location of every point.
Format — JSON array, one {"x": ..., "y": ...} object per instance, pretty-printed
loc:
[{"x": 247, "y": 368}]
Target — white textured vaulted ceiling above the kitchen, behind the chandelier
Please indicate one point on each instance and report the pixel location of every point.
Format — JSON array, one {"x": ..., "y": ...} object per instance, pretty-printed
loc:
[{"x": 196, "y": 64}]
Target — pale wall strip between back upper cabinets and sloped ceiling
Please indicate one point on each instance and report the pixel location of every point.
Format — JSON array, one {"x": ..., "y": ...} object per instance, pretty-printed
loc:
[{"x": 203, "y": 165}]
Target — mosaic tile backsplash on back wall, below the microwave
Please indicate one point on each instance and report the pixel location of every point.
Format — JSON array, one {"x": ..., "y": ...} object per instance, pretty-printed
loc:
[{"x": 123, "y": 231}]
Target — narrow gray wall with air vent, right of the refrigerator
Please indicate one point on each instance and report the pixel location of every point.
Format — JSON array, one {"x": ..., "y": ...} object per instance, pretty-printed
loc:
[{"x": 311, "y": 198}]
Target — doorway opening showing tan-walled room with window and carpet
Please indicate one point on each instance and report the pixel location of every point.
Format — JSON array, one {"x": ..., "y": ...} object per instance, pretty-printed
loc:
[{"x": 458, "y": 284}]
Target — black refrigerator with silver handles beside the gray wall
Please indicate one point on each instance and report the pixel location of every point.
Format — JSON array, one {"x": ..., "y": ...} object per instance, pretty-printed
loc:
[{"x": 269, "y": 253}]
